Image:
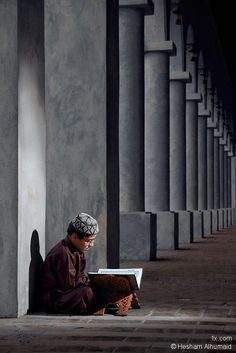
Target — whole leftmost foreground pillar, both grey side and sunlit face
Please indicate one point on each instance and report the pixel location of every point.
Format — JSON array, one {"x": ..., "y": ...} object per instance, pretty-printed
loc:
[{"x": 23, "y": 159}]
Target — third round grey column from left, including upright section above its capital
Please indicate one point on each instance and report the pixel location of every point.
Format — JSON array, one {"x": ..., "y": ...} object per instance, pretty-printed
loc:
[{"x": 178, "y": 79}]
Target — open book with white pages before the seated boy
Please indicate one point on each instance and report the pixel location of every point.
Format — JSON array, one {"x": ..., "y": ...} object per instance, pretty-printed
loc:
[{"x": 134, "y": 275}]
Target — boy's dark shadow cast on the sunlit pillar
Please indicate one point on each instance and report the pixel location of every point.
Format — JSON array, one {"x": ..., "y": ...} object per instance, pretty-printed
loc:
[{"x": 35, "y": 271}]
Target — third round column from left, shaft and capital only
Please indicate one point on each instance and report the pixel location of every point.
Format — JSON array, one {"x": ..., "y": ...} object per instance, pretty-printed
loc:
[{"x": 178, "y": 140}]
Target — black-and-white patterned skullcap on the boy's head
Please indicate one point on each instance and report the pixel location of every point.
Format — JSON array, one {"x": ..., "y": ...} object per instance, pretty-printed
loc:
[{"x": 85, "y": 224}]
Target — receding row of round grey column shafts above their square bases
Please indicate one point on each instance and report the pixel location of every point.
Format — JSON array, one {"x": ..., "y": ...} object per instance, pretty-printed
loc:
[{"x": 176, "y": 130}]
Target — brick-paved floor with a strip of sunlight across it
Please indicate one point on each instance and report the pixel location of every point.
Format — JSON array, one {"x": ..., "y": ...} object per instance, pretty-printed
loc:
[{"x": 188, "y": 305}]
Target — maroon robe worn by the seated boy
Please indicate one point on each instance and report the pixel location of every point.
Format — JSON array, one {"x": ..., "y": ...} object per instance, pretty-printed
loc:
[{"x": 66, "y": 288}]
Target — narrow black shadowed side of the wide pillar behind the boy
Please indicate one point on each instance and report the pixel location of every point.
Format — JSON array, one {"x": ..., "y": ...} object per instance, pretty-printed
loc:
[{"x": 112, "y": 155}]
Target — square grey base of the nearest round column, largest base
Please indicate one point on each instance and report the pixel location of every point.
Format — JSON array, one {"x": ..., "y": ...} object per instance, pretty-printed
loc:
[{"x": 137, "y": 236}]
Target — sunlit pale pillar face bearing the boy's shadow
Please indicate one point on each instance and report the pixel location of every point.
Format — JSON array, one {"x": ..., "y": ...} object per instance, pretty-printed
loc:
[{"x": 32, "y": 136}]
